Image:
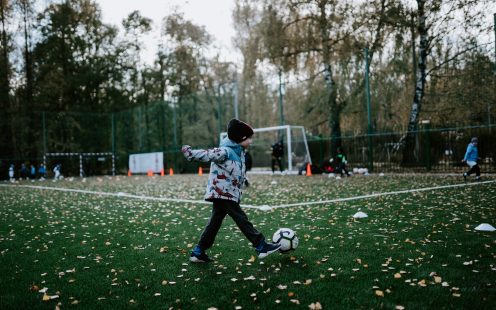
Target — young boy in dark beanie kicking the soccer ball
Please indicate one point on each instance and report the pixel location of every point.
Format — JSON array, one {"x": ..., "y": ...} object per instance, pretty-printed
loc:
[{"x": 224, "y": 189}]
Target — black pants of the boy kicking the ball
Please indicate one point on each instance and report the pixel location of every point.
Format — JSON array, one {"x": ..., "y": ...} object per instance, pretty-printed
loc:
[{"x": 220, "y": 209}]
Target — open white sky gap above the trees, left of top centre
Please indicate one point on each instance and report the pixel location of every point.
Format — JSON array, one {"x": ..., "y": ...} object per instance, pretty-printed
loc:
[{"x": 215, "y": 15}]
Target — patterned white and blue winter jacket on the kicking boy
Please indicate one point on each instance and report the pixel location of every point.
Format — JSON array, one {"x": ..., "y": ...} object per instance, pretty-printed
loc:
[{"x": 227, "y": 169}]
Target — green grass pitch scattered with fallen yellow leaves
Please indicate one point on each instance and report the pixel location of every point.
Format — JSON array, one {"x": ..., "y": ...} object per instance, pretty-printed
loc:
[{"x": 415, "y": 250}]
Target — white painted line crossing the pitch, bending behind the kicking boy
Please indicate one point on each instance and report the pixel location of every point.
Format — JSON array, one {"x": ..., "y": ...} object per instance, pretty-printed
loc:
[{"x": 264, "y": 207}]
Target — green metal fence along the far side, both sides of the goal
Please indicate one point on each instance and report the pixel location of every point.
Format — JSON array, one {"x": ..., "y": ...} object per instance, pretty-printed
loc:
[{"x": 157, "y": 128}]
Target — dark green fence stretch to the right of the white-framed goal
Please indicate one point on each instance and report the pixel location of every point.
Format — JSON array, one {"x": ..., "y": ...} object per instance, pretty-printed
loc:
[{"x": 437, "y": 150}]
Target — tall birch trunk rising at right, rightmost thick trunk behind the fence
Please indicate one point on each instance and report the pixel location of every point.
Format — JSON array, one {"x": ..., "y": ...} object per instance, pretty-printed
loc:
[{"x": 409, "y": 140}]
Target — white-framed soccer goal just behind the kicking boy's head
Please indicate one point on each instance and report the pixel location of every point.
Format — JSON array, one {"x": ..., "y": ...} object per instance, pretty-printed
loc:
[{"x": 295, "y": 148}]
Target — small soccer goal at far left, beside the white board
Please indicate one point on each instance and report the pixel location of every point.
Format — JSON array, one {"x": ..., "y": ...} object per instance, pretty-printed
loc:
[{"x": 83, "y": 163}]
